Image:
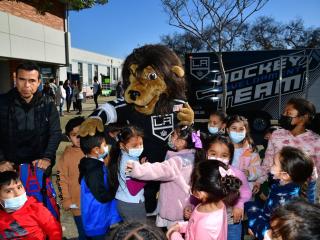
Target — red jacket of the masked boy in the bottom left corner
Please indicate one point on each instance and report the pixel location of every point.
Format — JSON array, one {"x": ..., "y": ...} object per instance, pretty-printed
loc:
[{"x": 32, "y": 221}]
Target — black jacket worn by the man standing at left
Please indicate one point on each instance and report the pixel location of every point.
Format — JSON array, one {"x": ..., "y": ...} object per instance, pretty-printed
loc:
[{"x": 28, "y": 131}]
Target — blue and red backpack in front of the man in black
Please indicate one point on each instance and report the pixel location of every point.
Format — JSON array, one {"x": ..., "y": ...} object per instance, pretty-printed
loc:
[{"x": 32, "y": 179}]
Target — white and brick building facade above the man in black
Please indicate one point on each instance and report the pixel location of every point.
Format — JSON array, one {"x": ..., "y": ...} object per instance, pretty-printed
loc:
[{"x": 25, "y": 34}]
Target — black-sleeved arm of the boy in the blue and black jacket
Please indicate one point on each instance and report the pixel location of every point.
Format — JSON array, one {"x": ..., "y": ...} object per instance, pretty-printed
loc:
[{"x": 95, "y": 182}]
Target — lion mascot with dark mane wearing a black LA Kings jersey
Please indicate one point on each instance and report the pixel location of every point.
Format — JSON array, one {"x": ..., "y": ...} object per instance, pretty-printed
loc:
[{"x": 154, "y": 101}]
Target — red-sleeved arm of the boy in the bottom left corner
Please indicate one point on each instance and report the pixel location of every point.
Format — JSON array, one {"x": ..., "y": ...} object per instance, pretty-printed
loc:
[{"x": 47, "y": 222}]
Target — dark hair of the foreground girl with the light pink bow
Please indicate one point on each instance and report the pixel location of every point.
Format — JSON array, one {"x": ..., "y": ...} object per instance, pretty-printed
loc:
[{"x": 206, "y": 177}]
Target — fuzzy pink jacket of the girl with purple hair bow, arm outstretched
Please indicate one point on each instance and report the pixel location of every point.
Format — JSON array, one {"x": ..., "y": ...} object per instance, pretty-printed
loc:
[{"x": 175, "y": 176}]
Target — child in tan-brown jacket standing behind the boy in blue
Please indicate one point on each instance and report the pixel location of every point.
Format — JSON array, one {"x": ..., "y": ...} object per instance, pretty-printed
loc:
[{"x": 68, "y": 173}]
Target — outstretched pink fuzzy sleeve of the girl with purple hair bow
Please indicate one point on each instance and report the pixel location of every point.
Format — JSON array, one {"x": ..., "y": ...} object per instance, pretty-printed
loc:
[{"x": 165, "y": 171}]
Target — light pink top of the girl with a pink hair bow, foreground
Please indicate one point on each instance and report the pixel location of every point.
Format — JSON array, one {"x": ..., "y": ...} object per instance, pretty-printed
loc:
[{"x": 204, "y": 226}]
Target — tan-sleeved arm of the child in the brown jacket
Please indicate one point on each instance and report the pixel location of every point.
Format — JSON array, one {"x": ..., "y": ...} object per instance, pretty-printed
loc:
[{"x": 62, "y": 182}]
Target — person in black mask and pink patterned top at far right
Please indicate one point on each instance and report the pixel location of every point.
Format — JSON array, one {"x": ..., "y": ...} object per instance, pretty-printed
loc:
[{"x": 297, "y": 116}]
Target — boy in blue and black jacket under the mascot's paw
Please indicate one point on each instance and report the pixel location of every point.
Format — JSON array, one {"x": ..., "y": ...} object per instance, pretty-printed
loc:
[{"x": 98, "y": 187}]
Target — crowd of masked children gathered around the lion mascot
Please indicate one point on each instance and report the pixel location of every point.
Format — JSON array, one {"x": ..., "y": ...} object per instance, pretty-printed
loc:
[{"x": 208, "y": 182}]
